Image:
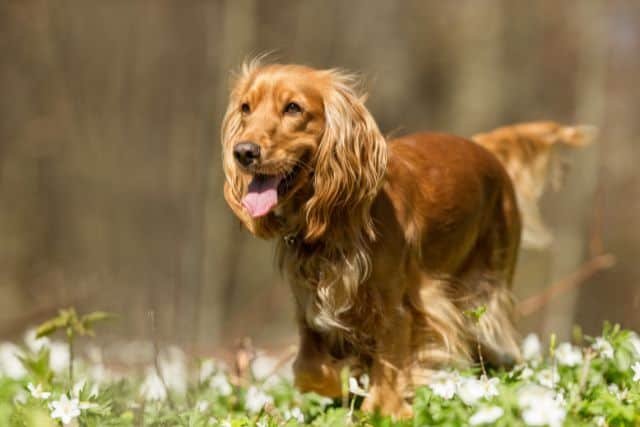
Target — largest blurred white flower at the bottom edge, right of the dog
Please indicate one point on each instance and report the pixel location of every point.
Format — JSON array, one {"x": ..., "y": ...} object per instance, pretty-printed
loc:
[{"x": 540, "y": 406}]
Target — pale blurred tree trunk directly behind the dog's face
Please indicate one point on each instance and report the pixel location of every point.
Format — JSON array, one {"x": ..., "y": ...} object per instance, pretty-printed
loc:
[{"x": 222, "y": 237}]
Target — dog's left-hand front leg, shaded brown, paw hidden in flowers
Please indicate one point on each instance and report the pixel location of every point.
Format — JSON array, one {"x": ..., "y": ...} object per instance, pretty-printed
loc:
[{"x": 314, "y": 368}]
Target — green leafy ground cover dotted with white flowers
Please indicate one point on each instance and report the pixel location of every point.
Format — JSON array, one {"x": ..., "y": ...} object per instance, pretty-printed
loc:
[{"x": 592, "y": 382}]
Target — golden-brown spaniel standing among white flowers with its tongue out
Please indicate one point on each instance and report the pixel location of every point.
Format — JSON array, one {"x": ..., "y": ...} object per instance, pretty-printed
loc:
[{"x": 386, "y": 244}]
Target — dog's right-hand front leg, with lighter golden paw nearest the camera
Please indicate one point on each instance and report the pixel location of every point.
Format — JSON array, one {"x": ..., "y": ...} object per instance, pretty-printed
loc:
[{"x": 389, "y": 371}]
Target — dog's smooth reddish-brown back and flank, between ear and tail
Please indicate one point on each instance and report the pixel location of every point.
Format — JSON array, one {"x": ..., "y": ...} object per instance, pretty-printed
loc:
[{"x": 455, "y": 191}]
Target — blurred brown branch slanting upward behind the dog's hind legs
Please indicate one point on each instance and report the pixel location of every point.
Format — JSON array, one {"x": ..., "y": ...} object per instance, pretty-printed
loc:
[{"x": 586, "y": 270}]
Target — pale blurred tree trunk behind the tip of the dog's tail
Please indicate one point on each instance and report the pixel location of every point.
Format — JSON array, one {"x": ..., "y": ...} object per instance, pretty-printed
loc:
[{"x": 572, "y": 226}]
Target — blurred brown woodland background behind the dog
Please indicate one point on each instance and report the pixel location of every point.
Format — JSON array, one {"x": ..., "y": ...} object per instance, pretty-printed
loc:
[{"x": 110, "y": 169}]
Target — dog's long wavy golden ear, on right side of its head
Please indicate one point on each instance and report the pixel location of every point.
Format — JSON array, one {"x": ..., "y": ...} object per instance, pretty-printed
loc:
[{"x": 349, "y": 166}]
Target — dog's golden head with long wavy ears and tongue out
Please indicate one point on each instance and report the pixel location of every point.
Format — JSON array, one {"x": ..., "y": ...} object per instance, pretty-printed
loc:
[{"x": 298, "y": 142}]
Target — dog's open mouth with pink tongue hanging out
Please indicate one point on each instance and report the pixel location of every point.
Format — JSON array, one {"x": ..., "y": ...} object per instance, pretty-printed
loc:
[{"x": 264, "y": 191}]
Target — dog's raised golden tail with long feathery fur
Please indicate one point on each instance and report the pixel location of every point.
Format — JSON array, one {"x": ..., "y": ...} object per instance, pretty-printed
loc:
[{"x": 530, "y": 154}]
